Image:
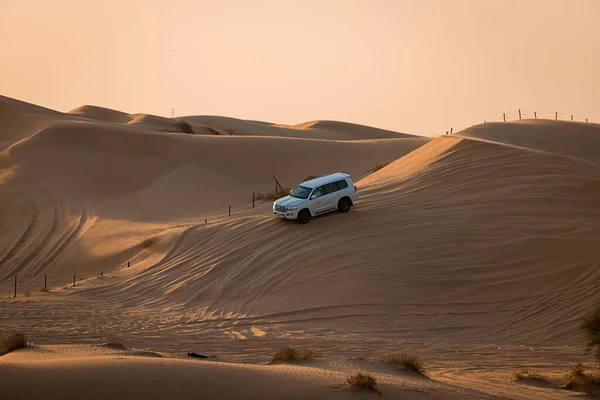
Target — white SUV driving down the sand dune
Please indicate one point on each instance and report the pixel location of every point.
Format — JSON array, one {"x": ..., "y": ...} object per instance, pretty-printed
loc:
[{"x": 317, "y": 196}]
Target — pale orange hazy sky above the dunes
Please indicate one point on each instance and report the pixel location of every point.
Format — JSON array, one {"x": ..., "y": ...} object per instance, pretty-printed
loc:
[{"x": 416, "y": 66}]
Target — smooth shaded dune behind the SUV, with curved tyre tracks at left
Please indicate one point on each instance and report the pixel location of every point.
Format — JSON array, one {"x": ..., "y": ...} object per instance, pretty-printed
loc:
[{"x": 72, "y": 185}]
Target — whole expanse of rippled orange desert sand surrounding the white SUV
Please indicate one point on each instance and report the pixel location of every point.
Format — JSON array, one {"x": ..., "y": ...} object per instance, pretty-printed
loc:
[{"x": 477, "y": 252}]
